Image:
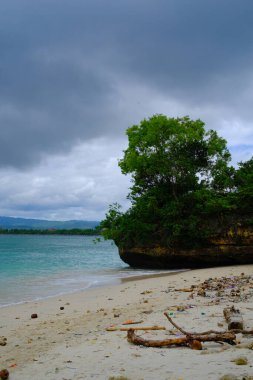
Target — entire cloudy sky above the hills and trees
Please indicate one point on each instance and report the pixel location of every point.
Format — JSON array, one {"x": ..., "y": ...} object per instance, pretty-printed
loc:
[{"x": 74, "y": 75}]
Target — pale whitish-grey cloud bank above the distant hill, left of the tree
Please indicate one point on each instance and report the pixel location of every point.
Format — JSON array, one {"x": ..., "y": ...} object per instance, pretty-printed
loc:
[{"x": 77, "y": 185}]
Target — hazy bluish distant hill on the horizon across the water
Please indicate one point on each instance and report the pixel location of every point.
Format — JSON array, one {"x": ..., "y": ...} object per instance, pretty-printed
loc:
[{"x": 22, "y": 223}]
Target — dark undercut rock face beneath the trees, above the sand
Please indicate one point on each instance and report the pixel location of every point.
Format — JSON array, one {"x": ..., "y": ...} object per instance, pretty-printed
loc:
[{"x": 232, "y": 248}]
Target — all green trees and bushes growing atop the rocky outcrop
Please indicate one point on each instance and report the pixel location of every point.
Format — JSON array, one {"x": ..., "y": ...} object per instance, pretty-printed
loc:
[{"x": 184, "y": 188}]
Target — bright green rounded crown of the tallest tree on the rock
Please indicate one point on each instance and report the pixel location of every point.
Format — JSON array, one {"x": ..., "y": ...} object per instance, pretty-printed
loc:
[{"x": 177, "y": 154}]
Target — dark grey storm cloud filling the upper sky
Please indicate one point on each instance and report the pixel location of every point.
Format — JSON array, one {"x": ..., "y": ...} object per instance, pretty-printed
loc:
[{"x": 63, "y": 65}]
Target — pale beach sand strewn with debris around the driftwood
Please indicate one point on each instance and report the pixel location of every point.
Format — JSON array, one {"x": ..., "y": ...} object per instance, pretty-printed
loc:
[{"x": 73, "y": 343}]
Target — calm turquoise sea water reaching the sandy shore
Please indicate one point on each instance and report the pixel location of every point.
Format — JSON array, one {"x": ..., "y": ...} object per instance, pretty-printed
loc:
[{"x": 35, "y": 267}]
